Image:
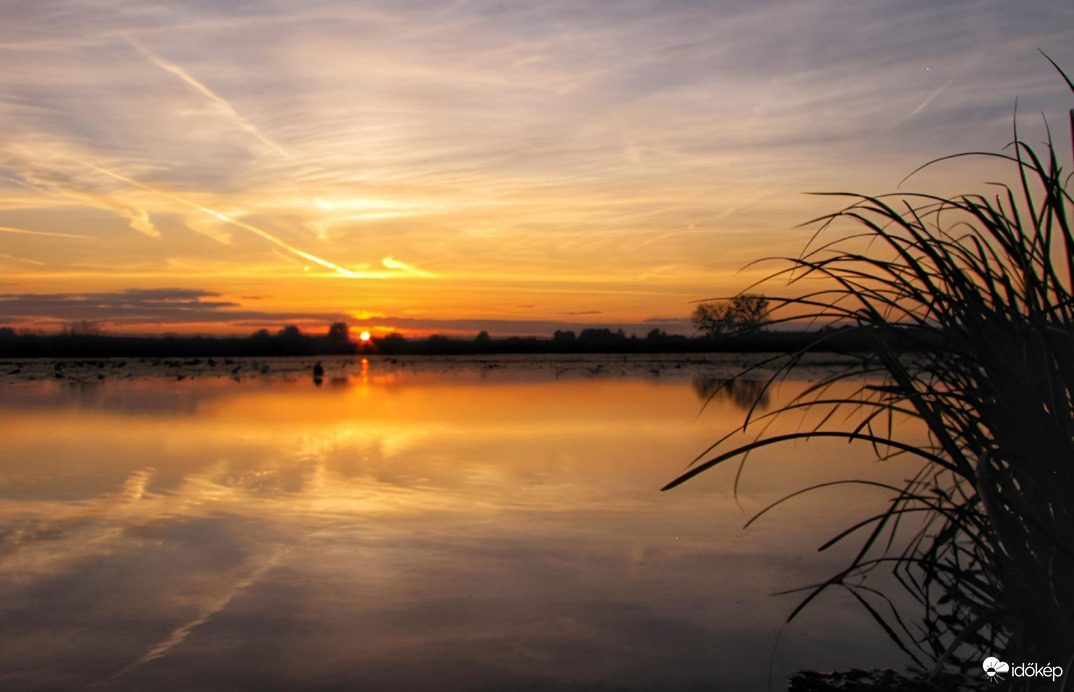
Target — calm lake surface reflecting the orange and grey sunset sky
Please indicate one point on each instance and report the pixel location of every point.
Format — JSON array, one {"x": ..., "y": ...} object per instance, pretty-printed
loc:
[{"x": 411, "y": 526}]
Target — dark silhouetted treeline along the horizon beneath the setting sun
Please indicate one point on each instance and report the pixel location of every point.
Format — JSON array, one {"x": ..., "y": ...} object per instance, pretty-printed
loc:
[{"x": 292, "y": 342}]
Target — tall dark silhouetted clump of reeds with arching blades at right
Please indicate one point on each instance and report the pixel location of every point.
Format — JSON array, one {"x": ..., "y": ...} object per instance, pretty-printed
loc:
[{"x": 968, "y": 305}]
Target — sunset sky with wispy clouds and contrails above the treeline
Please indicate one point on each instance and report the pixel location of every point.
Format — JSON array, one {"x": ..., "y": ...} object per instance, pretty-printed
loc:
[{"x": 226, "y": 166}]
